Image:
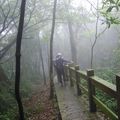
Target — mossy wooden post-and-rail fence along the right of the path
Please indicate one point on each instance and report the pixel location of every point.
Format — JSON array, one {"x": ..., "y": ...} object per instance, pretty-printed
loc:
[{"x": 75, "y": 76}]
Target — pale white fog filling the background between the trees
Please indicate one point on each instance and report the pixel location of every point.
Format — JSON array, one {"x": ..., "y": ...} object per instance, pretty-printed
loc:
[{"x": 75, "y": 33}]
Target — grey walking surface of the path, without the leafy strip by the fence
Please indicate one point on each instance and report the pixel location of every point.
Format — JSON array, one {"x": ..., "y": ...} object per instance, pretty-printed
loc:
[{"x": 69, "y": 107}]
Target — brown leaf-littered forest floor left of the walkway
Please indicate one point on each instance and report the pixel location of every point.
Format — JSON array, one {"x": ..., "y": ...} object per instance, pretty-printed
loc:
[{"x": 39, "y": 106}]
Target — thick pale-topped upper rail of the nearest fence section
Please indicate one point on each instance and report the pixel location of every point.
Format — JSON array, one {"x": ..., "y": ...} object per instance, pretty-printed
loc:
[{"x": 104, "y": 85}]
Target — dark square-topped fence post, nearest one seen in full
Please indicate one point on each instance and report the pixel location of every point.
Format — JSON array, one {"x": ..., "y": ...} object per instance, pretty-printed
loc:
[{"x": 91, "y": 91}]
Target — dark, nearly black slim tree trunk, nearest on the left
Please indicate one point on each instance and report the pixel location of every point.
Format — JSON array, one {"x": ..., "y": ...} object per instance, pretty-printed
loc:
[{"x": 18, "y": 55}]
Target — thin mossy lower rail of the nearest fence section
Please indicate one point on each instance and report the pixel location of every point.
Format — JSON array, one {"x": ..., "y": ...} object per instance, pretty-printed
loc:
[{"x": 105, "y": 109}]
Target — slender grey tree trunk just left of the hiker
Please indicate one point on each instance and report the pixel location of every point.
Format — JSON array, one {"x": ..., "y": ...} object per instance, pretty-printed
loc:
[{"x": 51, "y": 52}]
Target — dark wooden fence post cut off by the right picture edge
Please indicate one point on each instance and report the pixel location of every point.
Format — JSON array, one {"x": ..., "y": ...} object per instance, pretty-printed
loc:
[{"x": 118, "y": 95}]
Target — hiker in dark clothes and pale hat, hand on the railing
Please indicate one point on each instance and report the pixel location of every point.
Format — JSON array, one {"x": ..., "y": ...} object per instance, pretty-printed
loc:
[{"x": 59, "y": 67}]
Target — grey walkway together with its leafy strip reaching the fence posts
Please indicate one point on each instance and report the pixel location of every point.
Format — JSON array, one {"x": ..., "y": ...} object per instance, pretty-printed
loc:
[{"x": 71, "y": 108}]
